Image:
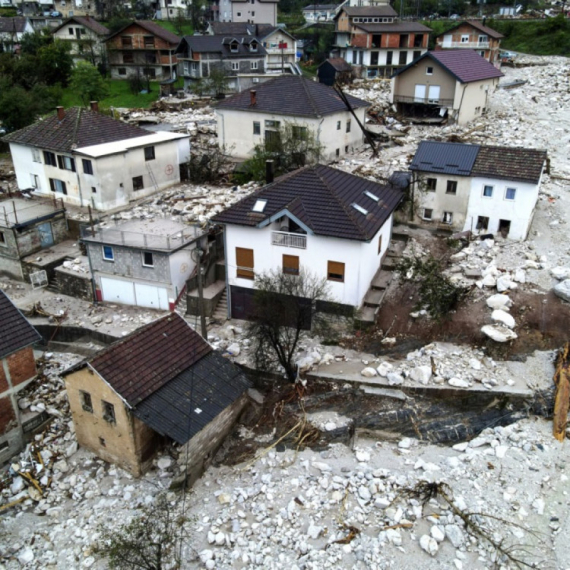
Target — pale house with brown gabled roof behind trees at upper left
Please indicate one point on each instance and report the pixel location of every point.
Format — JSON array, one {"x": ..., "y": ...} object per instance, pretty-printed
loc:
[{"x": 87, "y": 38}]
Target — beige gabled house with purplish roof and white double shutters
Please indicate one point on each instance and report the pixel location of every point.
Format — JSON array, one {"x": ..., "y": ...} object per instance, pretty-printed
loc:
[{"x": 452, "y": 84}]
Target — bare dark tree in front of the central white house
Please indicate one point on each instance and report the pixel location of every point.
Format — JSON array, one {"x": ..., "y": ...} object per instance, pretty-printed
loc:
[{"x": 284, "y": 309}]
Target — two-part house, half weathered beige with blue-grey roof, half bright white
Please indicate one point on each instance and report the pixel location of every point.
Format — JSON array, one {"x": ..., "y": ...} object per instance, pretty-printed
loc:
[{"x": 483, "y": 189}]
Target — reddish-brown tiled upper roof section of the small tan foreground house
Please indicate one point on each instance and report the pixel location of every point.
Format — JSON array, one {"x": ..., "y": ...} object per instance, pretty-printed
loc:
[{"x": 142, "y": 363}]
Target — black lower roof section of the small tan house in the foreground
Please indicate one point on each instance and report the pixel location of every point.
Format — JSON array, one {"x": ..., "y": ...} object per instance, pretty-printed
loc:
[{"x": 186, "y": 404}]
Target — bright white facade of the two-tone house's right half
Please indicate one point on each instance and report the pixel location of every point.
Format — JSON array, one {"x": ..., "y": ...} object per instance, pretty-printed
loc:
[{"x": 519, "y": 211}]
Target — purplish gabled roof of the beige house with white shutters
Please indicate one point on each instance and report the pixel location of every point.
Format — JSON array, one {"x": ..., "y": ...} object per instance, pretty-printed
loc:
[{"x": 464, "y": 64}]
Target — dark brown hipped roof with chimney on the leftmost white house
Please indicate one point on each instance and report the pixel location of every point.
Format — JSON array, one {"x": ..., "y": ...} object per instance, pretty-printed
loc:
[{"x": 79, "y": 128}]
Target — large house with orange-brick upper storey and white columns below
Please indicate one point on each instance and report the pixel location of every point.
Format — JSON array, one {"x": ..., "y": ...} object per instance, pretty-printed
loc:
[{"x": 370, "y": 38}]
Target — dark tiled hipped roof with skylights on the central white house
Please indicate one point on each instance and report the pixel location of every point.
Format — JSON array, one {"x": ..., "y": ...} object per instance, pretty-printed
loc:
[{"x": 322, "y": 199}]
